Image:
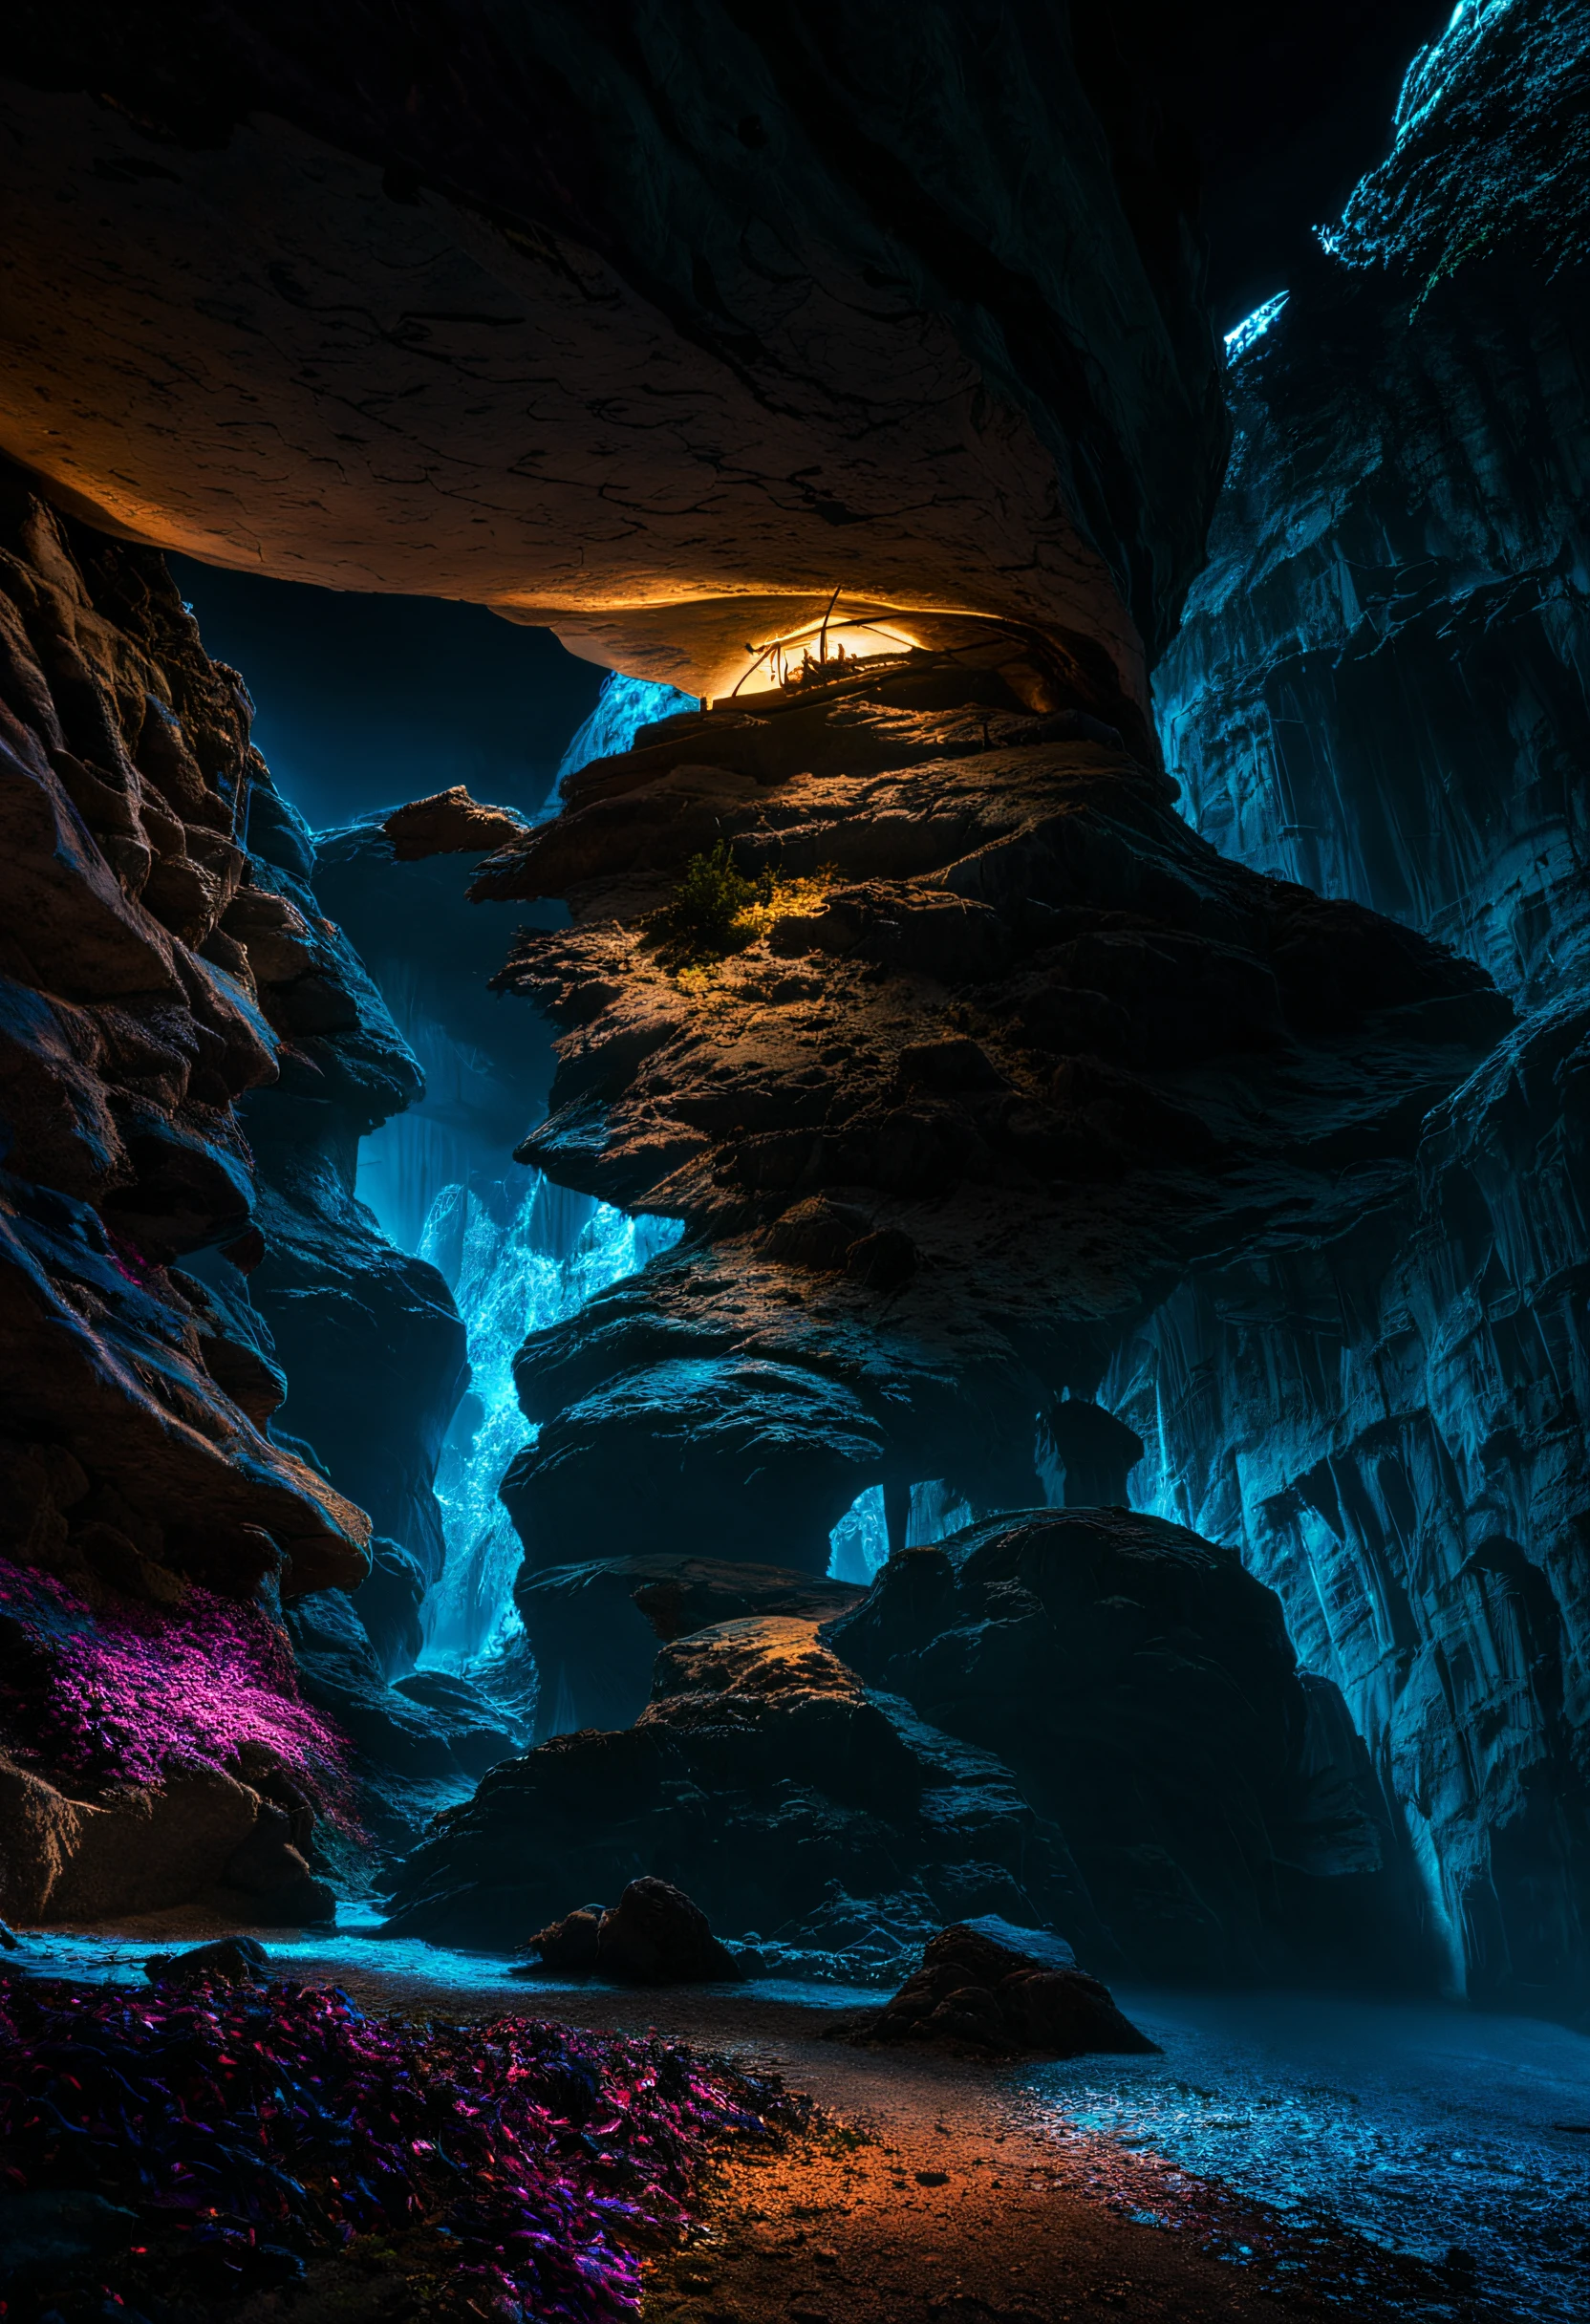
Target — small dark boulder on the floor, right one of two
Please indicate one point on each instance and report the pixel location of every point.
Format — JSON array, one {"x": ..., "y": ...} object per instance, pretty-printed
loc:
[{"x": 975, "y": 1993}]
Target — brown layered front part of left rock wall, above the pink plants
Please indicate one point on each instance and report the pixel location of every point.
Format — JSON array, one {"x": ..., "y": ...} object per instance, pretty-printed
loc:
[{"x": 136, "y": 1021}]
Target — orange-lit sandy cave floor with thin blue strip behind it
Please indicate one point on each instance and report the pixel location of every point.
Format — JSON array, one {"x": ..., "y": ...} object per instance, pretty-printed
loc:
[{"x": 931, "y": 2188}]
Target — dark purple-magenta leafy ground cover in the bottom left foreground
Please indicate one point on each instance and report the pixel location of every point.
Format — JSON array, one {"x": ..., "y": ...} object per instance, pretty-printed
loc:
[{"x": 506, "y": 2169}]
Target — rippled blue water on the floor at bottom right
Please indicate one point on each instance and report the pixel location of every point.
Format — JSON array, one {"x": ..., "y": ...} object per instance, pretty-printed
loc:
[{"x": 1428, "y": 2130}]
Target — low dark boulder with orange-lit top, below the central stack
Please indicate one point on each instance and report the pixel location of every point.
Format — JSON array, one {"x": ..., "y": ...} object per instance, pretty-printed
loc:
[{"x": 759, "y": 1779}]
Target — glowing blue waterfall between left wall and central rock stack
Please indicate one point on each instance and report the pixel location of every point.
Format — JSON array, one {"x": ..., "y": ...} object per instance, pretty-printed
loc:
[{"x": 510, "y": 1279}]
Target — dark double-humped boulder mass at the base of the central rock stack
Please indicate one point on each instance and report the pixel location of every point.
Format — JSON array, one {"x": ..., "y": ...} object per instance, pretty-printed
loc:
[{"x": 1080, "y": 1723}]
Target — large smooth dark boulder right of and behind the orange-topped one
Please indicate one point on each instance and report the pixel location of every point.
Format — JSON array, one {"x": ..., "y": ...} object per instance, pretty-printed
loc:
[{"x": 1143, "y": 1691}]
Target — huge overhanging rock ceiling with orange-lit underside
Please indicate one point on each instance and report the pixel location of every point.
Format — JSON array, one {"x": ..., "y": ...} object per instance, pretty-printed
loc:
[{"x": 917, "y": 294}]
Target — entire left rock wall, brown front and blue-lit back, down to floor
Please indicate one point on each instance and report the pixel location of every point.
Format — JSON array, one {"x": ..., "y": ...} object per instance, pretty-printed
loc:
[{"x": 189, "y": 1059}]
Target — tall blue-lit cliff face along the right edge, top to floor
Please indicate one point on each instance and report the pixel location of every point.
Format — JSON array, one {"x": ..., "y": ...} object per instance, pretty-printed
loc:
[{"x": 1382, "y": 689}]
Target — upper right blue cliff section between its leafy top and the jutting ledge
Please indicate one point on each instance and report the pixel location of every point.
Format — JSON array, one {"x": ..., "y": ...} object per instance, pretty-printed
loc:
[{"x": 1382, "y": 684}]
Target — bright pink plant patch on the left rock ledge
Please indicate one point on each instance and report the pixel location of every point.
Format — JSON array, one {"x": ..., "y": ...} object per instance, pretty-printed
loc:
[{"x": 122, "y": 1691}]
